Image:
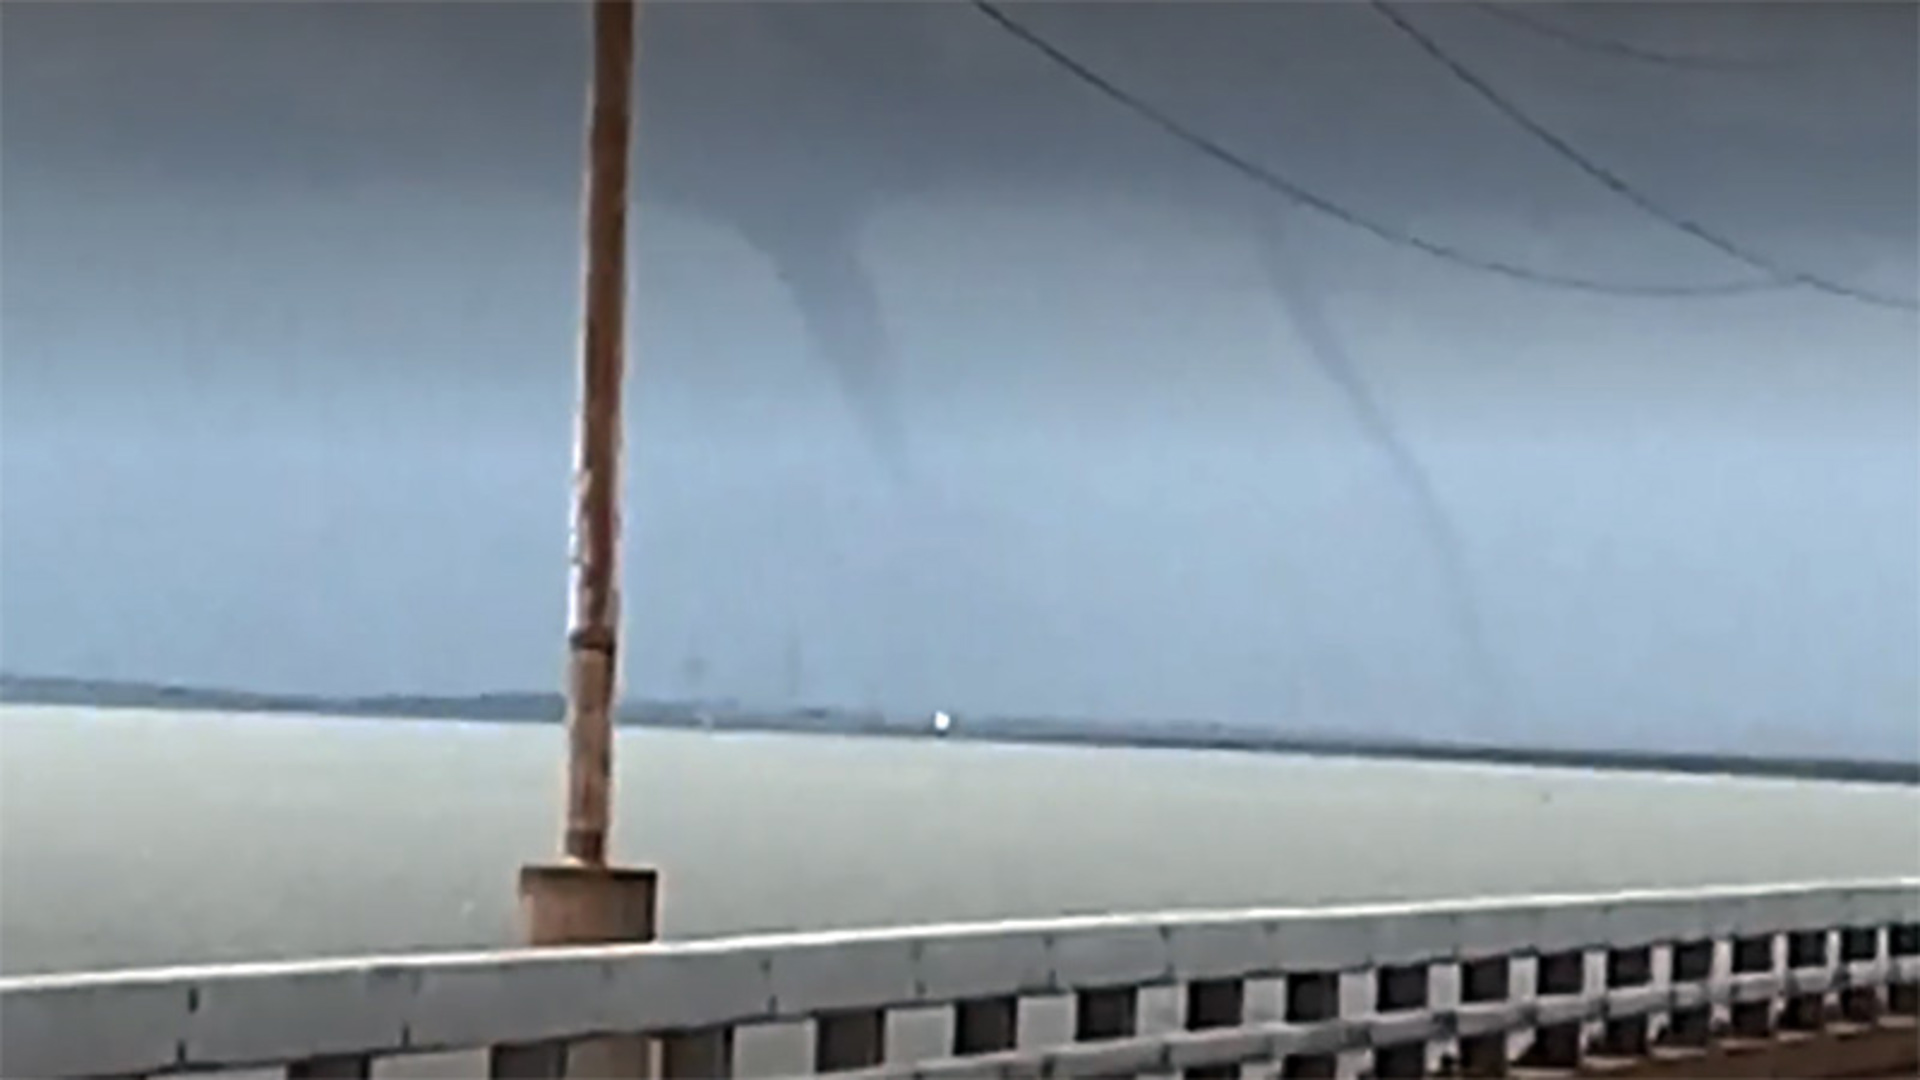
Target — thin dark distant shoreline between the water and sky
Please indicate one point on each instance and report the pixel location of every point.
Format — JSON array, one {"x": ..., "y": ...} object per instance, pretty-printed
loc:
[{"x": 683, "y": 716}]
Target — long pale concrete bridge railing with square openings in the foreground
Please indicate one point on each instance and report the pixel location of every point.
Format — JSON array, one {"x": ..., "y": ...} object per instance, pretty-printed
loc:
[{"x": 1646, "y": 975}]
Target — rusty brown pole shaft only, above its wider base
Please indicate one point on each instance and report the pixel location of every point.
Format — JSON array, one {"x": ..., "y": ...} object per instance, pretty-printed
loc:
[{"x": 594, "y": 618}]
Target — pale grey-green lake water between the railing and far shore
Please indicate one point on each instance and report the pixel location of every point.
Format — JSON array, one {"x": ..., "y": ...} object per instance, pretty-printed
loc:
[{"x": 174, "y": 837}]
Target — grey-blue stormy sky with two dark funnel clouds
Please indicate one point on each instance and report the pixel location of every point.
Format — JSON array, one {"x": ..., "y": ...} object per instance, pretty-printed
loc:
[{"x": 972, "y": 385}]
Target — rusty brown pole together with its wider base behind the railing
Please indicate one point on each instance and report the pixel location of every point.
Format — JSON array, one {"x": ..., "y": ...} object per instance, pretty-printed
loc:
[{"x": 583, "y": 898}]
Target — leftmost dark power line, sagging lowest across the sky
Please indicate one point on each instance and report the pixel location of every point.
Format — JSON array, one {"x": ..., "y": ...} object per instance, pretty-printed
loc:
[{"x": 1314, "y": 201}]
